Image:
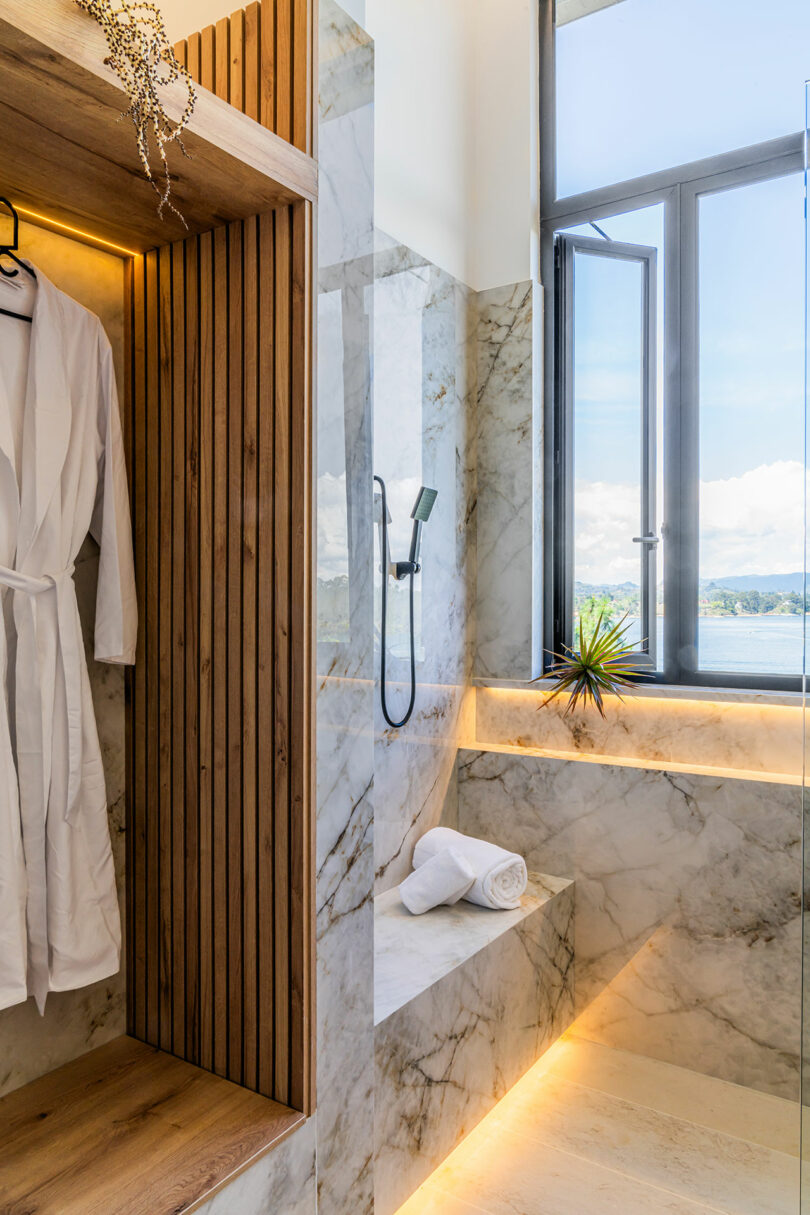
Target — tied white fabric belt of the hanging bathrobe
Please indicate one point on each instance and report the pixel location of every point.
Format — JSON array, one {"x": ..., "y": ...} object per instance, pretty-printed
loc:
[{"x": 35, "y": 696}]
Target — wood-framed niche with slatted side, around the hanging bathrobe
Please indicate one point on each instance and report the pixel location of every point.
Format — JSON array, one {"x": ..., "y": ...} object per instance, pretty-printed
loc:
[{"x": 218, "y": 1063}]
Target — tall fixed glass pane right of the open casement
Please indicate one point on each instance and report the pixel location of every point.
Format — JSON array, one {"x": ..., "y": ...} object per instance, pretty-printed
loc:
[{"x": 752, "y": 428}]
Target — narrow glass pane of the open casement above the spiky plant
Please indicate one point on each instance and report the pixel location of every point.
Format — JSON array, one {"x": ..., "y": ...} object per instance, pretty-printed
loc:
[{"x": 608, "y": 420}]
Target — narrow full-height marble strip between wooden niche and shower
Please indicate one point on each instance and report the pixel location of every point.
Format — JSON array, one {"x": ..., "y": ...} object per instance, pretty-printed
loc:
[{"x": 345, "y": 758}]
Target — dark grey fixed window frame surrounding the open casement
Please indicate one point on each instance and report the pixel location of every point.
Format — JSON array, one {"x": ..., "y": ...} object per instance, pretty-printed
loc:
[{"x": 679, "y": 190}]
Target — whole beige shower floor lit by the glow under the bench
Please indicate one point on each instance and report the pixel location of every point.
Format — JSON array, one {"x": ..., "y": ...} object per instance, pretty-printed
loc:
[{"x": 556, "y": 1146}]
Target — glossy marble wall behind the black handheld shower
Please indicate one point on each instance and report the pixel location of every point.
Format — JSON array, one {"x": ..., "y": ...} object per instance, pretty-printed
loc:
[{"x": 424, "y": 399}]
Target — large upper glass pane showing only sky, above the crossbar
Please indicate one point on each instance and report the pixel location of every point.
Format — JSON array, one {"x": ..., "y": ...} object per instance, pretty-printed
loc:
[{"x": 650, "y": 84}]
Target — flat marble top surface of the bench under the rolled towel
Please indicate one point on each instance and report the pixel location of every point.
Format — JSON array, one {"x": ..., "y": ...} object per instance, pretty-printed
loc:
[{"x": 415, "y": 952}]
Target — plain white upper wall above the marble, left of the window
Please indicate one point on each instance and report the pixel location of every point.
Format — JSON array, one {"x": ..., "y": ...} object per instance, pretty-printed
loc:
[{"x": 455, "y": 128}]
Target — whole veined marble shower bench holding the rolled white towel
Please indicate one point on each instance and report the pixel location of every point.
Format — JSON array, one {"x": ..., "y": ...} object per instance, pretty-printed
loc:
[{"x": 466, "y": 1001}]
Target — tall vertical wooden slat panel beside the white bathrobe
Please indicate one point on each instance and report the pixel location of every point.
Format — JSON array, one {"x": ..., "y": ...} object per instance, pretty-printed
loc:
[{"x": 220, "y": 885}]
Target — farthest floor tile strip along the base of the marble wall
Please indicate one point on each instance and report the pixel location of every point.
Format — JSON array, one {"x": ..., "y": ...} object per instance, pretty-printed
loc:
[{"x": 760, "y": 1117}]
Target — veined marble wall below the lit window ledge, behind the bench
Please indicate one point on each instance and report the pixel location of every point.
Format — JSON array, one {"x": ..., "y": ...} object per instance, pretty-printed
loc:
[{"x": 688, "y": 903}]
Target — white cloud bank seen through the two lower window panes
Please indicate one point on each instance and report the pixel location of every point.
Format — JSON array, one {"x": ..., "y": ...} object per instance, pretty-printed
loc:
[{"x": 750, "y": 524}]
